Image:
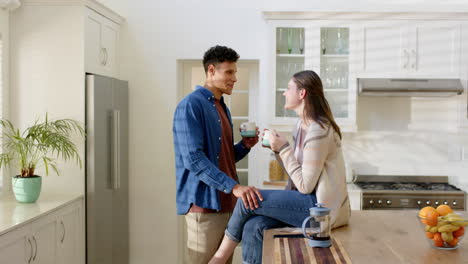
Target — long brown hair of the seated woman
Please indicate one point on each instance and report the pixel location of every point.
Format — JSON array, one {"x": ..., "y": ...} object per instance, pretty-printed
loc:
[{"x": 316, "y": 105}]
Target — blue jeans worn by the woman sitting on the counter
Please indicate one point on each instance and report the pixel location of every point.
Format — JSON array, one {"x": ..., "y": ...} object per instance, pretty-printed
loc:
[{"x": 278, "y": 209}]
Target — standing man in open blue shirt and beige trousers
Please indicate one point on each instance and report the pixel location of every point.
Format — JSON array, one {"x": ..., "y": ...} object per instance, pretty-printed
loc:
[{"x": 205, "y": 155}]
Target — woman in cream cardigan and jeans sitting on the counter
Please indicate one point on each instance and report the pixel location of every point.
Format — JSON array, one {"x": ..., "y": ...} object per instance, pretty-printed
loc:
[{"x": 316, "y": 172}]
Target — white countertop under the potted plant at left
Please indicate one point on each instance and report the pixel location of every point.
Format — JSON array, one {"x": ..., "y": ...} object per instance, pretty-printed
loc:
[{"x": 14, "y": 214}]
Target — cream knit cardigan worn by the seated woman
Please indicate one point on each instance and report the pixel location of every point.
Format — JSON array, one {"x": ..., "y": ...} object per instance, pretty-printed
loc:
[{"x": 322, "y": 170}]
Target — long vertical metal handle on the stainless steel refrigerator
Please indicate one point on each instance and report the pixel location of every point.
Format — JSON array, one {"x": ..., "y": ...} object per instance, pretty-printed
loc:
[{"x": 115, "y": 149}]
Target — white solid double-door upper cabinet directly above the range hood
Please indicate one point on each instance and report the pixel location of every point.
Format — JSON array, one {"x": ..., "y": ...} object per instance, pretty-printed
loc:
[{"x": 412, "y": 49}]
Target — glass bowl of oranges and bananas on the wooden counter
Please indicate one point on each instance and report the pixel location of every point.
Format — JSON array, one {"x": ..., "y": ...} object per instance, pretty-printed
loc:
[{"x": 443, "y": 228}]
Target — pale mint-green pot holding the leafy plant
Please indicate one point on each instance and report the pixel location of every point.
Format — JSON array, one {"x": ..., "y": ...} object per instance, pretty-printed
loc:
[{"x": 27, "y": 189}]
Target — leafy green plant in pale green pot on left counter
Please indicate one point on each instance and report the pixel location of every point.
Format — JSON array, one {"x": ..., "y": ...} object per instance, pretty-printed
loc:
[{"x": 38, "y": 145}]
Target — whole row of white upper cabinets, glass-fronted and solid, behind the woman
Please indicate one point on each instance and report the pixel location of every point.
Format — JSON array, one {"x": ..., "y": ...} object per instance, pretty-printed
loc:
[{"x": 342, "y": 47}]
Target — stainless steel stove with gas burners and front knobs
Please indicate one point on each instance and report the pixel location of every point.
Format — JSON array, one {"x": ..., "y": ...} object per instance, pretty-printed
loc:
[{"x": 408, "y": 192}]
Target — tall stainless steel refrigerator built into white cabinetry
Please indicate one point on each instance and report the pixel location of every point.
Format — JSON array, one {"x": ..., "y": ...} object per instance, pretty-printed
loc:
[{"x": 106, "y": 170}]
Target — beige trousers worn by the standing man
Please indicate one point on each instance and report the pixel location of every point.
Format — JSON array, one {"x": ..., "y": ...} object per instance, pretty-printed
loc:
[{"x": 204, "y": 235}]
